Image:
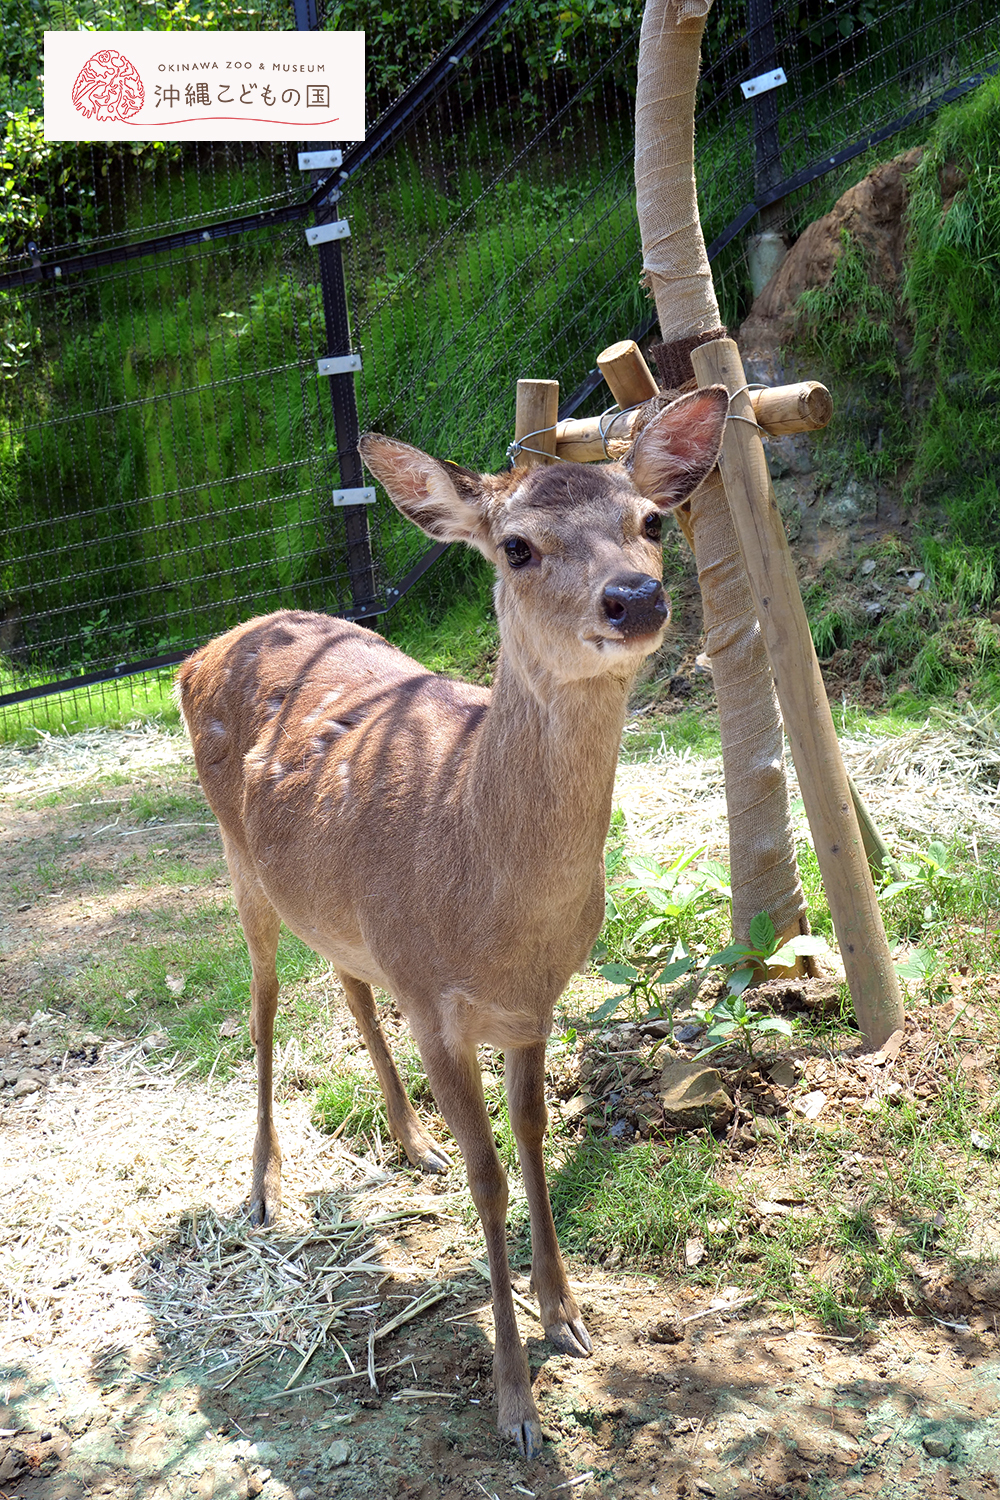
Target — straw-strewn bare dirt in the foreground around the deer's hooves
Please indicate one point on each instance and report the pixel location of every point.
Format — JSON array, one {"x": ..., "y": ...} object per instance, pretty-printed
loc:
[{"x": 125, "y": 1378}]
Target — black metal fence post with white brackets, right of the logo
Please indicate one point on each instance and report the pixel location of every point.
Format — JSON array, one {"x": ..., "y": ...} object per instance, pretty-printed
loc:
[{"x": 343, "y": 392}]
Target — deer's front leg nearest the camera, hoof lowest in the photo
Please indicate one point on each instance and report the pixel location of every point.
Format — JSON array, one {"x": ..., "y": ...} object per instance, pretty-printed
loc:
[{"x": 458, "y": 1088}]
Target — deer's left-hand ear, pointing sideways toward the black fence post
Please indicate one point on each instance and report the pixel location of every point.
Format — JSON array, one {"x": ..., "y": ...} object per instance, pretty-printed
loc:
[{"x": 445, "y": 500}]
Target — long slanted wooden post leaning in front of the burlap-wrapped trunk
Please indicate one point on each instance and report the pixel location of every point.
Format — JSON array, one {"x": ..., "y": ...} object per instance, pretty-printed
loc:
[{"x": 806, "y": 710}]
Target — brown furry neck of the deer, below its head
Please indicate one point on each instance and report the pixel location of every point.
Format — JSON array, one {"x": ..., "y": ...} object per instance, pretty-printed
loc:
[{"x": 543, "y": 772}]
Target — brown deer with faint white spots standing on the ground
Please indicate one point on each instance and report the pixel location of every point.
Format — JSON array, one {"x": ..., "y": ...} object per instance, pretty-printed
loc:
[{"x": 443, "y": 842}]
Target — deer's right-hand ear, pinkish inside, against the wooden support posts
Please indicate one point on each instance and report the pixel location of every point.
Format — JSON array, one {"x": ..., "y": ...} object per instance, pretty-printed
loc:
[{"x": 680, "y": 448}]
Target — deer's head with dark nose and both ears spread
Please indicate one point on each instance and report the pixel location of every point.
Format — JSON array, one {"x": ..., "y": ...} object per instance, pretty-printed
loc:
[{"x": 576, "y": 547}]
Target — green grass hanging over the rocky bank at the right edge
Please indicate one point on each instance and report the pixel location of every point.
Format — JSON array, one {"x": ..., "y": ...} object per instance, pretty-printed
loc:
[{"x": 918, "y": 377}]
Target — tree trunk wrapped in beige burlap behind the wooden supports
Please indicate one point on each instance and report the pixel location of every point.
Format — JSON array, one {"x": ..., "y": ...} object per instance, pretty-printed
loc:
[{"x": 762, "y": 851}]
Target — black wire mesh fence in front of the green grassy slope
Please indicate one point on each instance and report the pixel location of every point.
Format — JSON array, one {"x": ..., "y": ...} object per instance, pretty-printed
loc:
[{"x": 170, "y": 452}]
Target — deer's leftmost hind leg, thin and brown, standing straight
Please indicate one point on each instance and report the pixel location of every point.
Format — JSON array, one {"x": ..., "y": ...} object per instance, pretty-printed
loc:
[{"x": 262, "y": 926}]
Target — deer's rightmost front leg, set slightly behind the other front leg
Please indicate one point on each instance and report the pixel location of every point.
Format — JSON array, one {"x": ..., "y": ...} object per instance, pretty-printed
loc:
[{"x": 525, "y": 1073}]
